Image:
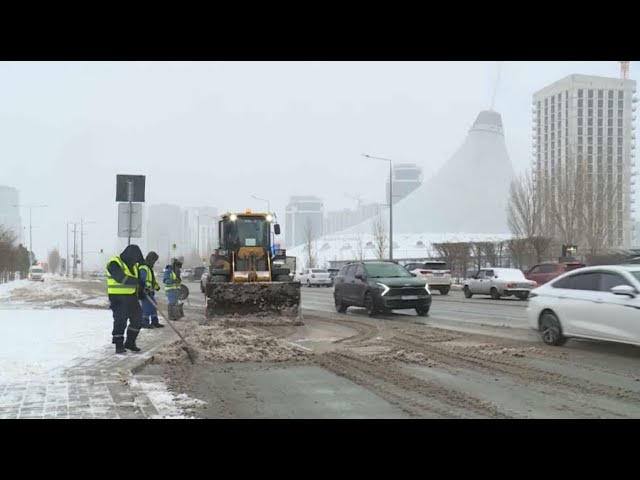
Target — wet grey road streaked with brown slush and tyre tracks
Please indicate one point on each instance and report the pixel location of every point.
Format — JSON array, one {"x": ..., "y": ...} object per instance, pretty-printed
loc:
[{"x": 471, "y": 358}]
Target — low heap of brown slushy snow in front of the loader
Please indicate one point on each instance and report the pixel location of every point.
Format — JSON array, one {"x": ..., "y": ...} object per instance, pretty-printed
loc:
[{"x": 220, "y": 344}]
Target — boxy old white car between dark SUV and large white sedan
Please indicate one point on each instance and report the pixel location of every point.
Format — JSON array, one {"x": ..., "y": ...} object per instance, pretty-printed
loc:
[{"x": 498, "y": 282}]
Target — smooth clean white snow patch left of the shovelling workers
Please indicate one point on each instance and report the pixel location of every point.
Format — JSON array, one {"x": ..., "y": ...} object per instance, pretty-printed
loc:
[{"x": 43, "y": 341}]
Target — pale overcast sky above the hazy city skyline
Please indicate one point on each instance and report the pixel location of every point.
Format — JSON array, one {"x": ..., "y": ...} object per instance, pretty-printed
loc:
[{"x": 213, "y": 133}]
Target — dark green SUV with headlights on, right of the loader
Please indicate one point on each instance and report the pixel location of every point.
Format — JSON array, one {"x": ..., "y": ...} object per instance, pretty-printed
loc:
[{"x": 380, "y": 286}]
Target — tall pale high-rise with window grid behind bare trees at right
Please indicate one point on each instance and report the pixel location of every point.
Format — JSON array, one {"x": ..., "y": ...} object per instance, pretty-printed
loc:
[{"x": 586, "y": 123}]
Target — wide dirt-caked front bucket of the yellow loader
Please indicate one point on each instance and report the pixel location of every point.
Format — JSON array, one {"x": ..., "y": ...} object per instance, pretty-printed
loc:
[{"x": 278, "y": 301}]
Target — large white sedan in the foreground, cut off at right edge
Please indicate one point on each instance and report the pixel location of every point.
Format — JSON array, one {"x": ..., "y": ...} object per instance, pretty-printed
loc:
[{"x": 600, "y": 303}]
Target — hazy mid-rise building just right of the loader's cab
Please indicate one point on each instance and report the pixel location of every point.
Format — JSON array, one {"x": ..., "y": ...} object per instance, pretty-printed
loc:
[{"x": 303, "y": 219}]
